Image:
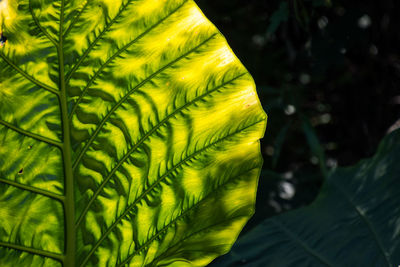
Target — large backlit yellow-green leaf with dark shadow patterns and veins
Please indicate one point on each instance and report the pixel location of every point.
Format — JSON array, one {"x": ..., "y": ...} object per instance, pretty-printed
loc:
[{"x": 129, "y": 135}]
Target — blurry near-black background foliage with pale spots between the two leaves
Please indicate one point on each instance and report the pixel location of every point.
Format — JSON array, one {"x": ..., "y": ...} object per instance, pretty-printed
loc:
[{"x": 328, "y": 76}]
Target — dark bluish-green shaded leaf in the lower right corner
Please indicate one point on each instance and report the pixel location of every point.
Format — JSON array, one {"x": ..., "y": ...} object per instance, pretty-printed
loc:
[{"x": 355, "y": 221}]
